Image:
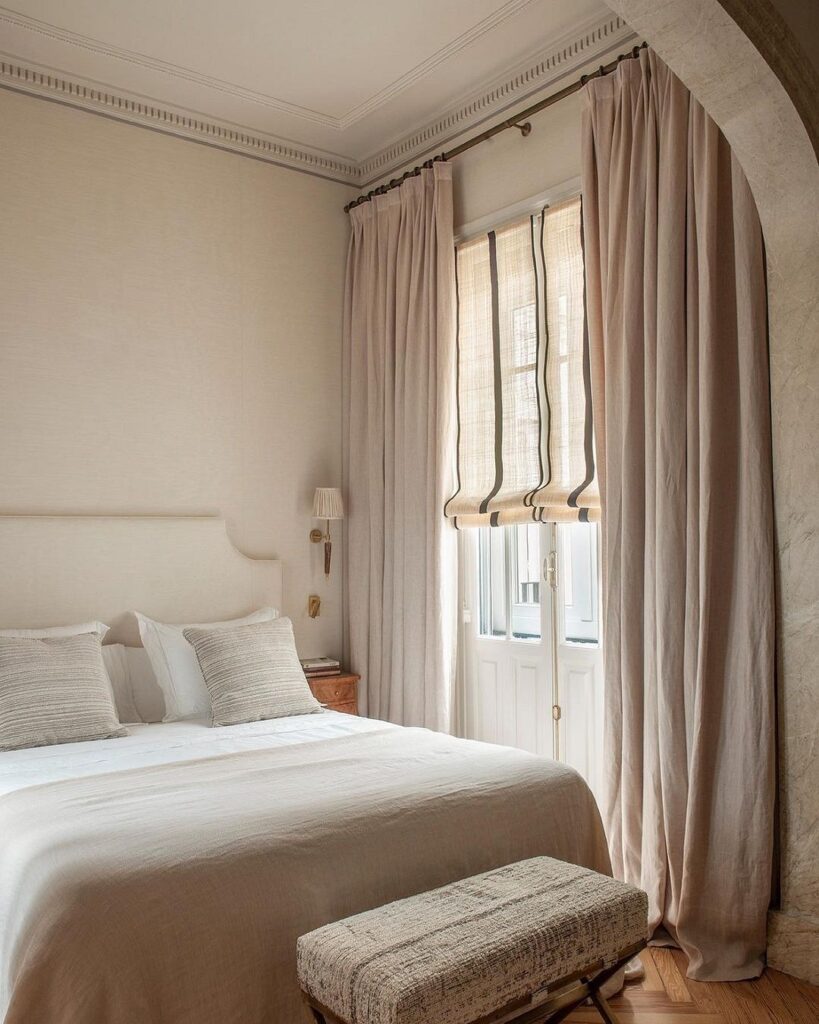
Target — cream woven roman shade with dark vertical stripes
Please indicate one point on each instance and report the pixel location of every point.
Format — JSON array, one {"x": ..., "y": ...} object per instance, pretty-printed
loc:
[{"x": 526, "y": 445}]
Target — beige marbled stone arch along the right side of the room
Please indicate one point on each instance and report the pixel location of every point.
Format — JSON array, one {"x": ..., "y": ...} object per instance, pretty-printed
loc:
[{"x": 730, "y": 78}]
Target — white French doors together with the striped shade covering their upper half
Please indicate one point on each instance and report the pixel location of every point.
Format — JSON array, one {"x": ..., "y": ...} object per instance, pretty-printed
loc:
[{"x": 528, "y": 488}]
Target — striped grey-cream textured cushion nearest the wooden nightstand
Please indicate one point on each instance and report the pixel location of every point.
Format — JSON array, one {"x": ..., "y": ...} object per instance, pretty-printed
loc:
[{"x": 252, "y": 672}]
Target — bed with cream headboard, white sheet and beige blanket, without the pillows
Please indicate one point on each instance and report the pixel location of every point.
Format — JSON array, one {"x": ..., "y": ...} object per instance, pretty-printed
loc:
[{"x": 165, "y": 876}]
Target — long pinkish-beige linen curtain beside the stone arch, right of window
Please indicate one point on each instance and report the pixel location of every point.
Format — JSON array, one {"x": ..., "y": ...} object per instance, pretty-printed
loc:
[{"x": 677, "y": 311}]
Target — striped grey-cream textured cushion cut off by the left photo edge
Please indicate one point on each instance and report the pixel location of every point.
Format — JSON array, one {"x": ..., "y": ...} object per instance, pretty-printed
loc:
[{"x": 55, "y": 691}]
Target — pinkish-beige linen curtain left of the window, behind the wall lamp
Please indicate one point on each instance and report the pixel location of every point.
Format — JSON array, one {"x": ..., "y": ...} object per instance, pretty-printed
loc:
[{"x": 399, "y": 378}]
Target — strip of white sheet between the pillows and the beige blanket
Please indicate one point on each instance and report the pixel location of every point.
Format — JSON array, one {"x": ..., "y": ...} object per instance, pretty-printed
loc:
[{"x": 147, "y": 746}]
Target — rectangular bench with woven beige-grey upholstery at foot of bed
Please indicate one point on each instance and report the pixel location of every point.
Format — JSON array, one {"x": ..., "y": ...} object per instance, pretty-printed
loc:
[{"x": 527, "y": 943}]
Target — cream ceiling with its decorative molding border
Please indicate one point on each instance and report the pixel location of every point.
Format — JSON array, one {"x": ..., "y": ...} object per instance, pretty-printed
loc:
[{"x": 350, "y": 90}]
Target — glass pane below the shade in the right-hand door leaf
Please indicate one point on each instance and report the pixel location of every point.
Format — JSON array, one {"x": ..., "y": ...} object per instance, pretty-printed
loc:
[{"x": 578, "y": 547}]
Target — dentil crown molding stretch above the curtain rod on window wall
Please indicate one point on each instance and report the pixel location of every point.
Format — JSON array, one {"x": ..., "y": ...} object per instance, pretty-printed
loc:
[{"x": 534, "y": 75}]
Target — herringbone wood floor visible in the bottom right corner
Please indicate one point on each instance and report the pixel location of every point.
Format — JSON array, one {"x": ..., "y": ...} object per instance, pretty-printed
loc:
[{"x": 667, "y": 997}]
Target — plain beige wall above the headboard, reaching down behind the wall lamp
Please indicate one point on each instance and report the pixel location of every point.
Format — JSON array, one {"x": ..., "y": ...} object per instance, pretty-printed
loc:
[{"x": 170, "y": 335}]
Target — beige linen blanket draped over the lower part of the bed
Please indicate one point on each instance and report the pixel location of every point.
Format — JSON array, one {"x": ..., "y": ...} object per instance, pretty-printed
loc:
[{"x": 176, "y": 894}]
